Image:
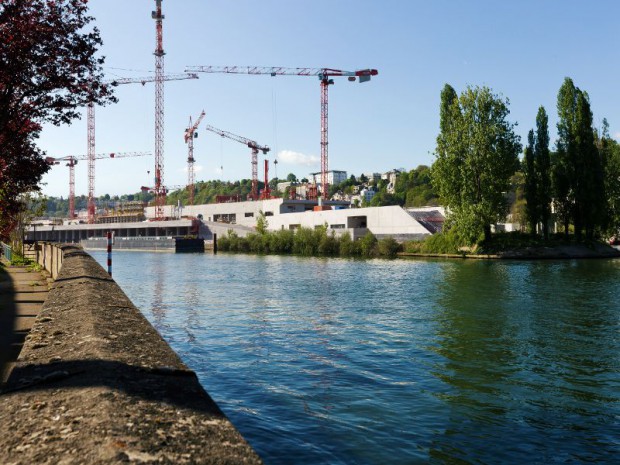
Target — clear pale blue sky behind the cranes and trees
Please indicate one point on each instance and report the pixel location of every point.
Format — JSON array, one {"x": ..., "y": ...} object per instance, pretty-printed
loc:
[{"x": 521, "y": 49}]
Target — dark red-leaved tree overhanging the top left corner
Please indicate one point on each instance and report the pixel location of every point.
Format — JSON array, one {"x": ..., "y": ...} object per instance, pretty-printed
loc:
[{"x": 48, "y": 70}]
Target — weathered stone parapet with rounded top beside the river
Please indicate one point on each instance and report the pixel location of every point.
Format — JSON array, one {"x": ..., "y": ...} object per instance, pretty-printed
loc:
[{"x": 95, "y": 384}]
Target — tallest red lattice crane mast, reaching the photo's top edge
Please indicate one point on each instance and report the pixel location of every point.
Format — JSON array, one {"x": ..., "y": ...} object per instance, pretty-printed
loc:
[{"x": 160, "y": 191}]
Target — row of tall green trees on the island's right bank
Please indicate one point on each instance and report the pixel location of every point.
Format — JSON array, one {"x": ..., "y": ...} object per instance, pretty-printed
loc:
[{"x": 477, "y": 164}]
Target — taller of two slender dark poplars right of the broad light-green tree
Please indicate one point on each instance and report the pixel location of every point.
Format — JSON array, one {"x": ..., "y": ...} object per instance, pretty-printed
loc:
[{"x": 542, "y": 159}]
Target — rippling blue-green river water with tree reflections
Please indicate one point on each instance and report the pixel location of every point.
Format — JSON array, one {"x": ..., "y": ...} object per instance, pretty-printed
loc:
[{"x": 330, "y": 361}]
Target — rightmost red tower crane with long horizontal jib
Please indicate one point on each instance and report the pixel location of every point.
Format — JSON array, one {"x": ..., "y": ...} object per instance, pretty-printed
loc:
[{"x": 324, "y": 75}]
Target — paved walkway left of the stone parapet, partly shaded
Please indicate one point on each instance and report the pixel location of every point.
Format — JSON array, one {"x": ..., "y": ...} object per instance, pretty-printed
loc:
[{"x": 22, "y": 293}]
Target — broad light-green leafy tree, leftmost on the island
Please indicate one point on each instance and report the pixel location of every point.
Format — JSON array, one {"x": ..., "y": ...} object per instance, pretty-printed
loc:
[{"x": 477, "y": 153}]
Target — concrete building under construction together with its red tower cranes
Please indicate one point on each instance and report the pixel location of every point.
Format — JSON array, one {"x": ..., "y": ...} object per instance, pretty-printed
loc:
[{"x": 154, "y": 226}]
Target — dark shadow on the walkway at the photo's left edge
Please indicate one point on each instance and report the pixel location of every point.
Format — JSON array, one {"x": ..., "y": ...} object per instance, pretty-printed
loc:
[{"x": 10, "y": 341}]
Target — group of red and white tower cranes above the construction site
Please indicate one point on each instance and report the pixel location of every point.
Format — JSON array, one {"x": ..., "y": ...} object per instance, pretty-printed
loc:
[{"x": 325, "y": 76}]
